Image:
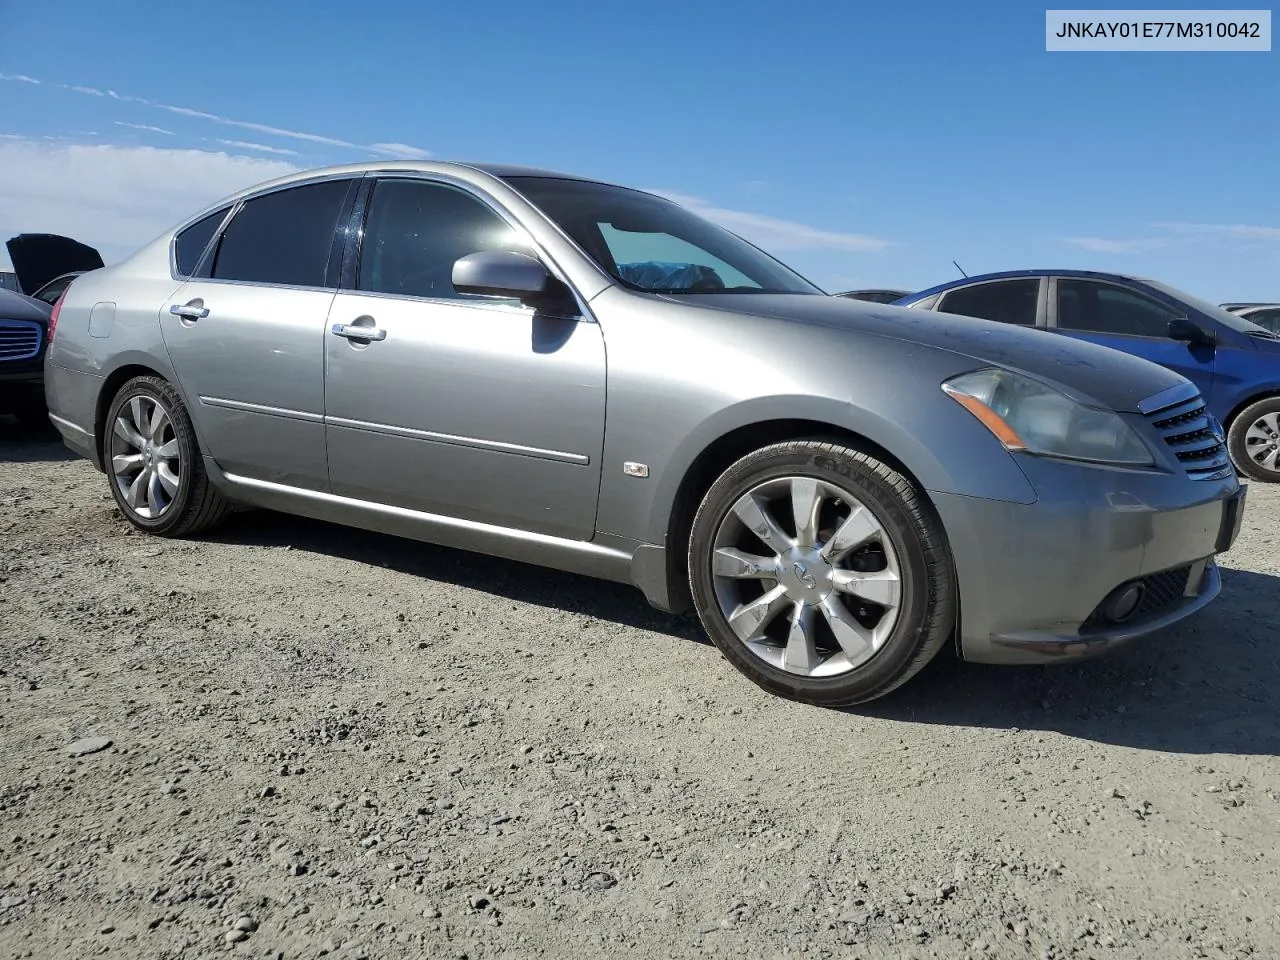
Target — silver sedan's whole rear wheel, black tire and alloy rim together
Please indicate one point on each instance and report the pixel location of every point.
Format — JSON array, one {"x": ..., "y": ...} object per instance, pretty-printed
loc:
[{"x": 180, "y": 501}]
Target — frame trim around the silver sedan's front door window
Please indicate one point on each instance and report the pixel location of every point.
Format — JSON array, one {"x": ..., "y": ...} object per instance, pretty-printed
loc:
[{"x": 354, "y": 236}]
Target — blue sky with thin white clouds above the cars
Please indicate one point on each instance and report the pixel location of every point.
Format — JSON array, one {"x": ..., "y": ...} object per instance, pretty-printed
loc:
[{"x": 863, "y": 147}]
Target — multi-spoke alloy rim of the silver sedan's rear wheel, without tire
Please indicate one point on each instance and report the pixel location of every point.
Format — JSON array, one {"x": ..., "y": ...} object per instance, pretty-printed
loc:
[{"x": 147, "y": 460}]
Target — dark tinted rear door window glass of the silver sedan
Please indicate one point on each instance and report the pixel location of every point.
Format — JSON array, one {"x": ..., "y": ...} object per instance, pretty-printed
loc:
[{"x": 284, "y": 237}]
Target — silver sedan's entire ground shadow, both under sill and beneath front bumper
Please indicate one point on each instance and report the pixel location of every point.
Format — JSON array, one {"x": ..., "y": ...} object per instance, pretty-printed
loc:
[{"x": 1209, "y": 685}]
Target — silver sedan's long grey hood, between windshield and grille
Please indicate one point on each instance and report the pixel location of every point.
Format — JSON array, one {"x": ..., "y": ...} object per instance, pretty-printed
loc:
[{"x": 1100, "y": 374}]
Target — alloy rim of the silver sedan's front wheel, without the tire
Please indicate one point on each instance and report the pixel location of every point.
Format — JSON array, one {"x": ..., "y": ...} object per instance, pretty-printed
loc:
[{"x": 807, "y": 577}]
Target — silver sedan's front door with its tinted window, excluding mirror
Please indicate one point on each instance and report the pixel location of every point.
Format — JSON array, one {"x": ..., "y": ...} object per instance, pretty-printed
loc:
[{"x": 467, "y": 408}]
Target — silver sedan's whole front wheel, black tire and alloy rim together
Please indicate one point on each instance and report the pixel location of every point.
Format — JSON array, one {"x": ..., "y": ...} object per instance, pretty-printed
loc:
[{"x": 821, "y": 621}]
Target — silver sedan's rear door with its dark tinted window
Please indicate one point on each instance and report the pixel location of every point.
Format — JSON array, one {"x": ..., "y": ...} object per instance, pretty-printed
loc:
[{"x": 246, "y": 333}]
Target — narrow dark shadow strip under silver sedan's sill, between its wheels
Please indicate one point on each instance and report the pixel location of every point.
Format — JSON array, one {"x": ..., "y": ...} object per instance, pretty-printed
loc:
[{"x": 527, "y": 583}]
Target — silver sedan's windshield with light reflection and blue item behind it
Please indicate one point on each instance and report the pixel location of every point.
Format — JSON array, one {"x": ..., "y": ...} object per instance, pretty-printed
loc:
[{"x": 653, "y": 245}]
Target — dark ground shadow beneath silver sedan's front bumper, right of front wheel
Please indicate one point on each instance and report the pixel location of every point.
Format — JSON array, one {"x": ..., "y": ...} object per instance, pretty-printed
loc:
[{"x": 1208, "y": 685}]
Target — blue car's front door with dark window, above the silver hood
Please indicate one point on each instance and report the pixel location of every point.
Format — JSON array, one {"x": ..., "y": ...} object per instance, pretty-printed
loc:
[{"x": 1128, "y": 321}]
